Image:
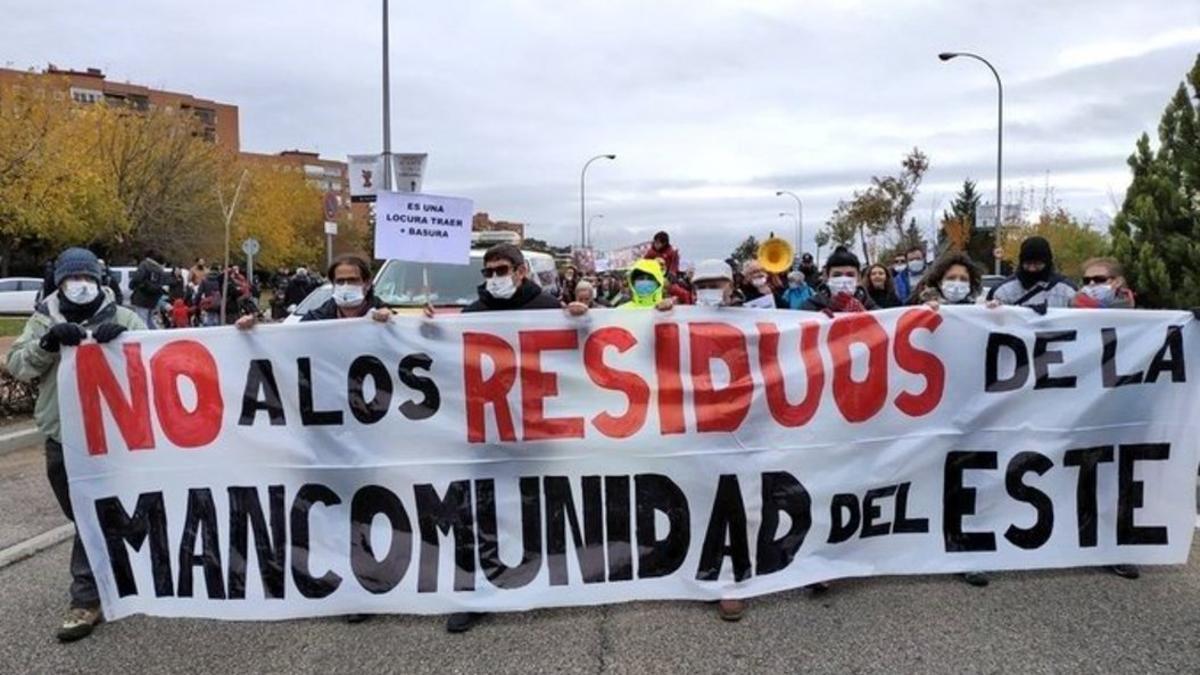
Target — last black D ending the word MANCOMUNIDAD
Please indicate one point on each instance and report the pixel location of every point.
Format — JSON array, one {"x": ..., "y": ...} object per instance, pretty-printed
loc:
[{"x": 782, "y": 493}]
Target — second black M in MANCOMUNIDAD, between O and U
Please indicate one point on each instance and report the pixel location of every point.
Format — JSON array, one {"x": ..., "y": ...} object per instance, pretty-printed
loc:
[{"x": 437, "y": 515}]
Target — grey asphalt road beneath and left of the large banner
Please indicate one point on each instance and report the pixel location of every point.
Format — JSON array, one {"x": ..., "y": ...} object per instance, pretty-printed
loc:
[{"x": 1077, "y": 622}]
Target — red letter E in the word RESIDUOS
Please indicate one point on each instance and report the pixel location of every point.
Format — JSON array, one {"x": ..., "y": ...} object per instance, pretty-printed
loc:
[{"x": 538, "y": 385}]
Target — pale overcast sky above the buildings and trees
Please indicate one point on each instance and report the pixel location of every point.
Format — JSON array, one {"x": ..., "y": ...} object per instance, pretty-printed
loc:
[{"x": 710, "y": 105}]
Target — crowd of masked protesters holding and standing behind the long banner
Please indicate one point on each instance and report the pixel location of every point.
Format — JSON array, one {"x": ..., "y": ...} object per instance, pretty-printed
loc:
[{"x": 82, "y": 298}]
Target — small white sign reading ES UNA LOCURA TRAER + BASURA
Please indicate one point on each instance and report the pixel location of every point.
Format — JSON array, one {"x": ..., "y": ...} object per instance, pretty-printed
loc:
[{"x": 423, "y": 229}]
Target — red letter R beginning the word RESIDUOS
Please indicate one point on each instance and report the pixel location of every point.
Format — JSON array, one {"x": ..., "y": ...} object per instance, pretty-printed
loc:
[{"x": 494, "y": 391}]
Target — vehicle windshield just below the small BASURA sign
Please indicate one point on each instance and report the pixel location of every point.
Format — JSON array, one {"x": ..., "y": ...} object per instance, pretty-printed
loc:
[{"x": 403, "y": 284}]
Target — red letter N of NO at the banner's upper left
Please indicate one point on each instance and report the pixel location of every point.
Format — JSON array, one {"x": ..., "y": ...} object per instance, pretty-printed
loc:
[{"x": 95, "y": 379}]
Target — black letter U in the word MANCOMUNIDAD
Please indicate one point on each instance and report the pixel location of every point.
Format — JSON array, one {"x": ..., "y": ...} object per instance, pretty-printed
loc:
[{"x": 500, "y": 575}]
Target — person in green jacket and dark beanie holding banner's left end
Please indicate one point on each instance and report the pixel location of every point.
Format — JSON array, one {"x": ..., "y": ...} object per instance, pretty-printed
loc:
[{"x": 79, "y": 306}]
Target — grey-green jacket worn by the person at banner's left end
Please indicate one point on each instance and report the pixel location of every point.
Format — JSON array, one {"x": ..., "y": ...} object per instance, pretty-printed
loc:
[{"x": 28, "y": 361}]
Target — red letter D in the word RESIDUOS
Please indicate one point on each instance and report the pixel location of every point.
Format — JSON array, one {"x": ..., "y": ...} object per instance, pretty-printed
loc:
[{"x": 719, "y": 410}]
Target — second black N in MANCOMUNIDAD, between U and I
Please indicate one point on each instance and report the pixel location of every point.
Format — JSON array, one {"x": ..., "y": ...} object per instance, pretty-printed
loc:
[{"x": 560, "y": 516}]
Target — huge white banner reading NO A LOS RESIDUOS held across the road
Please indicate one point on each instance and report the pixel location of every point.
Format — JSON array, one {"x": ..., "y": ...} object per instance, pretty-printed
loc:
[{"x": 505, "y": 462}]
